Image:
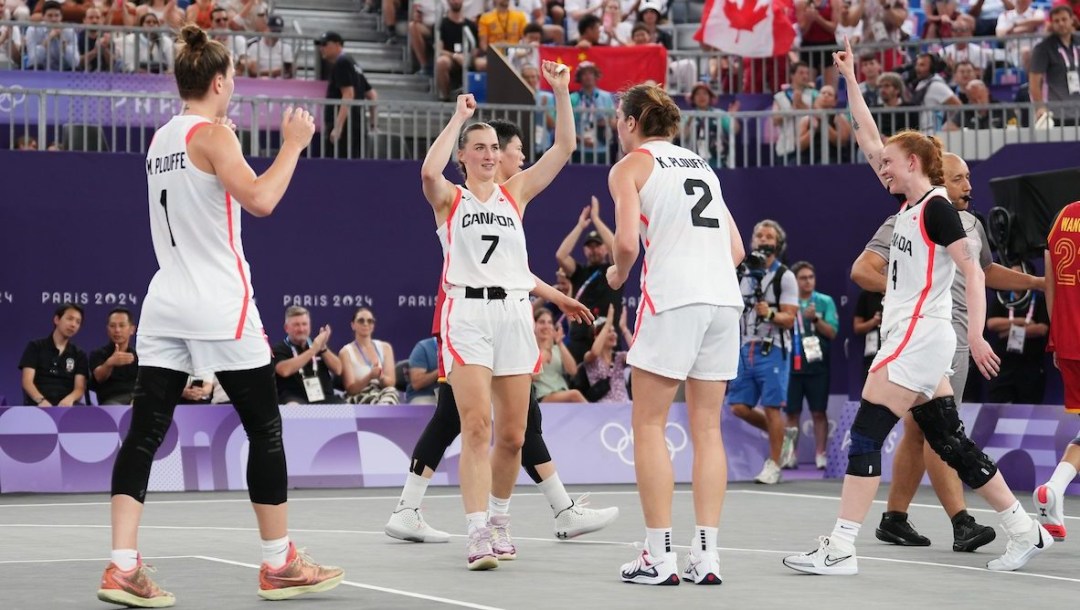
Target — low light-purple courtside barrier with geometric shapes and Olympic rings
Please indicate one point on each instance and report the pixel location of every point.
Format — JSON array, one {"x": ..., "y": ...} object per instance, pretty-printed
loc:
[{"x": 73, "y": 451}]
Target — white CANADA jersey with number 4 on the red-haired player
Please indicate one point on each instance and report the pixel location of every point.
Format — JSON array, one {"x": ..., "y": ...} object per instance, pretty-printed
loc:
[{"x": 921, "y": 273}]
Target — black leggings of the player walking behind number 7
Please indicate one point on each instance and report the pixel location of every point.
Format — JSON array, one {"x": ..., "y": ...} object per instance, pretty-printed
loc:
[{"x": 445, "y": 426}]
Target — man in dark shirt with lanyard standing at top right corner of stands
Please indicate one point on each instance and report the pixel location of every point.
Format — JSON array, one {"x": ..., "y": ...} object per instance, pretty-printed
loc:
[{"x": 1056, "y": 63}]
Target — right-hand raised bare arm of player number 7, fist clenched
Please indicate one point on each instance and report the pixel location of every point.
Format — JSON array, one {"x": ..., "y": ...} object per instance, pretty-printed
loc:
[{"x": 526, "y": 185}]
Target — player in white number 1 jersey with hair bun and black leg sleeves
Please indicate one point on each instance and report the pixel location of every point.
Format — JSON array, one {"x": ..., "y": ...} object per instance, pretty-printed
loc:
[{"x": 199, "y": 318}]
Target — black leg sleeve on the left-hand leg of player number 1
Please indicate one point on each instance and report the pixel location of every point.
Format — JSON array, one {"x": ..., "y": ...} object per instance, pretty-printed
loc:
[{"x": 157, "y": 394}]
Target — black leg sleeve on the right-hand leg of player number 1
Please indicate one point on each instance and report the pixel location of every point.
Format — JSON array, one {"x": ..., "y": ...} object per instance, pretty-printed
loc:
[{"x": 254, "y": 396}]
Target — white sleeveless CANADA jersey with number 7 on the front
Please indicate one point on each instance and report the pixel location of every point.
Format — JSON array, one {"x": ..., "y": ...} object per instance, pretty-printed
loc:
[{"x": 484, "y": 243}]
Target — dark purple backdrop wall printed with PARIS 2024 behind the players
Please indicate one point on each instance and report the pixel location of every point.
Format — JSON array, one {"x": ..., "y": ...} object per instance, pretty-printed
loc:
[{"x": 360, "y": 233}]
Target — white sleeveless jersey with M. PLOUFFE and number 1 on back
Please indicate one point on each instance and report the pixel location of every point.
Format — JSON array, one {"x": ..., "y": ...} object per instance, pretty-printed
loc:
[{"x": 202, "y": 289}]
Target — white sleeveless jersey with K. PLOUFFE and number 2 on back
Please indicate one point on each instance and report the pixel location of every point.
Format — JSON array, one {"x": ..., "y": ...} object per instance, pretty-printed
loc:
[{"x": 686, "y": 234}]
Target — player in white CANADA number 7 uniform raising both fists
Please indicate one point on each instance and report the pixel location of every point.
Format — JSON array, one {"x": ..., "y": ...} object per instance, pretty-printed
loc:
[{"x": 489, "y": 348}]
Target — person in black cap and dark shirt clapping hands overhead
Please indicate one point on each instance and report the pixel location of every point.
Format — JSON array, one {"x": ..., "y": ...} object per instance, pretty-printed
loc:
[{"x": 589, "y": 279}]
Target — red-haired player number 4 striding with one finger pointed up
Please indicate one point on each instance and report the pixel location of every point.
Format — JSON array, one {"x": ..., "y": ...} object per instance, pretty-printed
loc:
[{"x": 911, "y": 370}]
